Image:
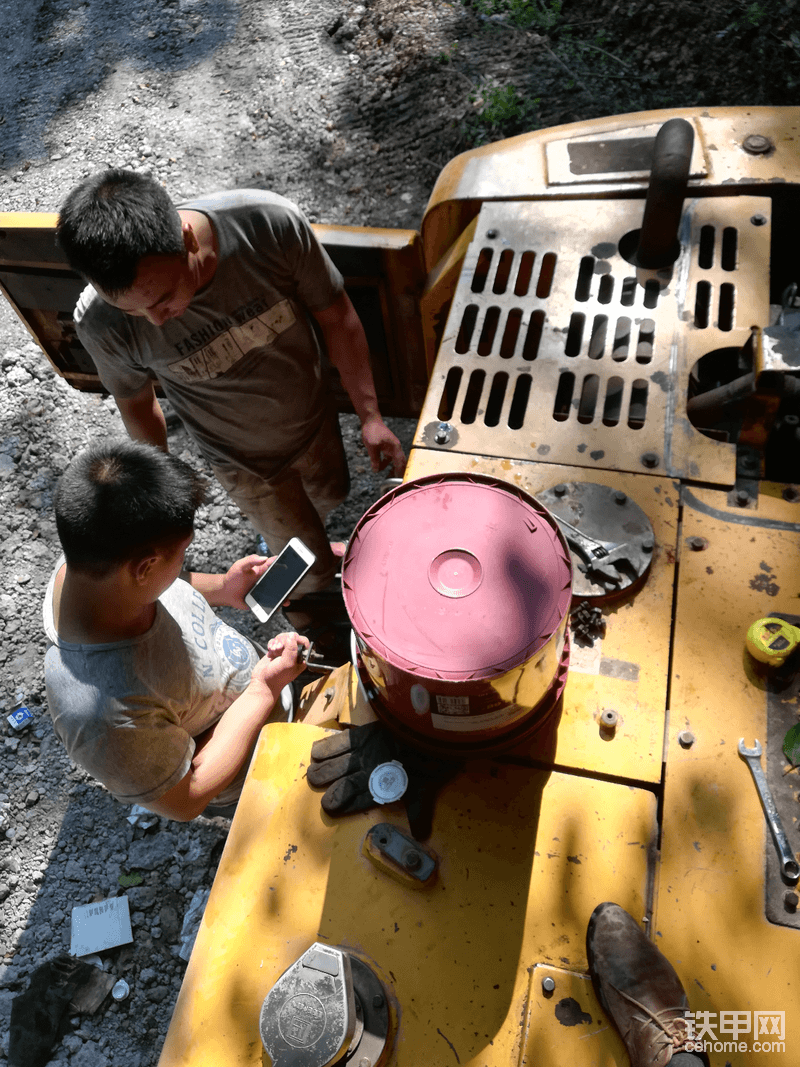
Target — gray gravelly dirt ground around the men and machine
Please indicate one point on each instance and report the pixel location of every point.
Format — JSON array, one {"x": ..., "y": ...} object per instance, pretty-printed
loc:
[{"x": 350, "y": 110}]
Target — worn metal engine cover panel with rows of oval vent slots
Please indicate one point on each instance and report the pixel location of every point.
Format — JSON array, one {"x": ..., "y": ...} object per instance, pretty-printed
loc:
[{"x": 557, "y": 349}]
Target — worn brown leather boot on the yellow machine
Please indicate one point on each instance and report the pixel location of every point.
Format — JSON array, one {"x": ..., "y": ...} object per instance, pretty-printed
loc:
[{"x": 637, "y": 988}]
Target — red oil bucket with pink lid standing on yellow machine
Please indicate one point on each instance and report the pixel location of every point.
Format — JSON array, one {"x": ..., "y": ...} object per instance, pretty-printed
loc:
[{"x": 458, "y": 588}]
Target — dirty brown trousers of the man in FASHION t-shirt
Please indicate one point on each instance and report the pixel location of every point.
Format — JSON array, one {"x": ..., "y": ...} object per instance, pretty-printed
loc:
[{"x": 298, "y": 501}]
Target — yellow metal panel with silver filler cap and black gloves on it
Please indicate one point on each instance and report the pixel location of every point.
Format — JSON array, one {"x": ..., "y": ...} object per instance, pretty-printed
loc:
[{"x": 522, "y": 869}]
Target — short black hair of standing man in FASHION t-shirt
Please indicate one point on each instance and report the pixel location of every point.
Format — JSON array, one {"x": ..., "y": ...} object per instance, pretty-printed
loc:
[{"x": 114, "y": 220}]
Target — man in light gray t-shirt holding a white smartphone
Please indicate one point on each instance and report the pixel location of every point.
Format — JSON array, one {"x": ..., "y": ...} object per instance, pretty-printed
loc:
[{"x": 149, "y": 691}]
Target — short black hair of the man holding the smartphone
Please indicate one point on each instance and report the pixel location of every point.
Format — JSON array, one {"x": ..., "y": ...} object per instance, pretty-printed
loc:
[{"x": 120, "y": 501}]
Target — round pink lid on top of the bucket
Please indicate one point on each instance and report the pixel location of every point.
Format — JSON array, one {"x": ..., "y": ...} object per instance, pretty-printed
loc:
[{"x": 457, "y": 577}]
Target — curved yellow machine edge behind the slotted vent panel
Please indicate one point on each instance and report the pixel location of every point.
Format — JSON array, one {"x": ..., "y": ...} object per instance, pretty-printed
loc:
[{"x": 532, "y": 167}]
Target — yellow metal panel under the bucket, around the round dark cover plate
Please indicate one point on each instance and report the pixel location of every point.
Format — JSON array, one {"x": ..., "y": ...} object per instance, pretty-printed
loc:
[{"x": 628, "y": 670}]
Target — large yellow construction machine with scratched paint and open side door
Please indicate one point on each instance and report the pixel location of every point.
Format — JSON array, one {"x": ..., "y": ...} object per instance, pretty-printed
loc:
[{"x": 553, "y": 336}]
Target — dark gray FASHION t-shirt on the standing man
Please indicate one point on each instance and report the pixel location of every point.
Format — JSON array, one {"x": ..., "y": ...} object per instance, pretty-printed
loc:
[{"x": 242, "y": 367}]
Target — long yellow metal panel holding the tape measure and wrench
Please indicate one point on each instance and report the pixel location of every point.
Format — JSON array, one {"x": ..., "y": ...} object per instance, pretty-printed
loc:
[{"x": 711, "y": 902}]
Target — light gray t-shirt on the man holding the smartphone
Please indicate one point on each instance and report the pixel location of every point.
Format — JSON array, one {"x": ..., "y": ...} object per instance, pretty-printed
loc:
[{"x": 127, "y": 712}]
